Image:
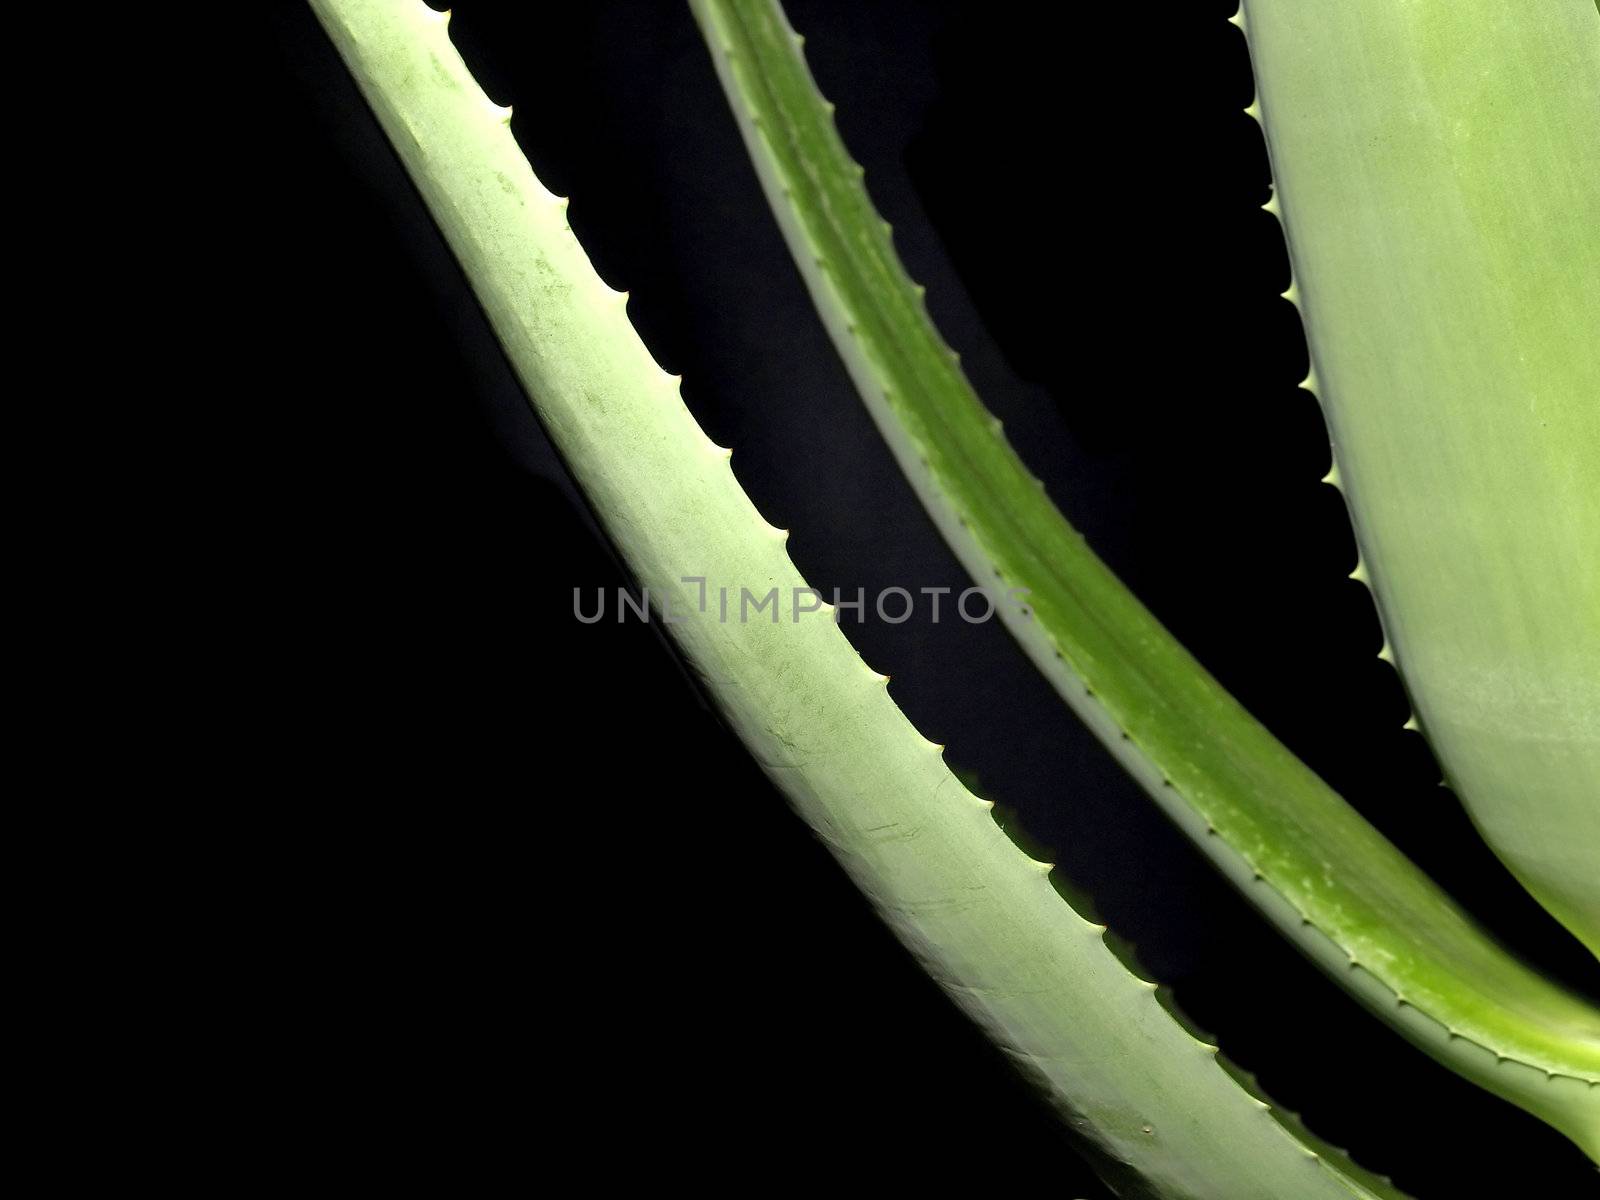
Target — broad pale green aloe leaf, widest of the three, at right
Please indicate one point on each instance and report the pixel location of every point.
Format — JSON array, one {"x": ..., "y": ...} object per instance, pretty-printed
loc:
[{"x": 1439, "y": 180}]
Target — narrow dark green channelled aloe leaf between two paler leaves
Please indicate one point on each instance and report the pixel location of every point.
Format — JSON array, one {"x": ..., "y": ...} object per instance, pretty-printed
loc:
[{"x": 1310, "y": 862}]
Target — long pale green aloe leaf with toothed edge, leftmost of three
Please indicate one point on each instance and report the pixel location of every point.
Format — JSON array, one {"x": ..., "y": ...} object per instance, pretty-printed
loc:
[{"x": 980, "y": 914}]
